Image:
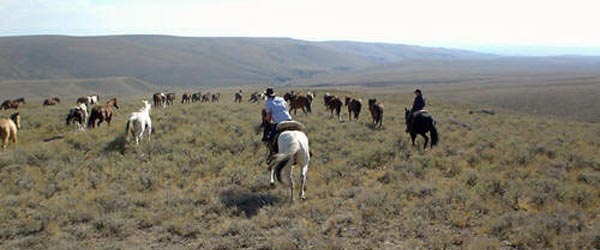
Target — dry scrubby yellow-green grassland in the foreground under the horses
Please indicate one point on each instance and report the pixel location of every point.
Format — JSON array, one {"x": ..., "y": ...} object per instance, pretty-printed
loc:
[{"x": 503, "y": 181}]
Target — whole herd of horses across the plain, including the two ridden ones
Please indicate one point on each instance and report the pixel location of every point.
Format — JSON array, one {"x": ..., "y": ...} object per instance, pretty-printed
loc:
[{"x": 292, "y": 144}]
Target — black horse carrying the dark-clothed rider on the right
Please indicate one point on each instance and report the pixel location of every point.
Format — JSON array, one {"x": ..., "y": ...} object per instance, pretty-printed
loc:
[{"x": 421, "y": 124}]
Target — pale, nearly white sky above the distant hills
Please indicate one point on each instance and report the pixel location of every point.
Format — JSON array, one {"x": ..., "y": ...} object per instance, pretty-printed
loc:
[{"x": 519, "y": 27}]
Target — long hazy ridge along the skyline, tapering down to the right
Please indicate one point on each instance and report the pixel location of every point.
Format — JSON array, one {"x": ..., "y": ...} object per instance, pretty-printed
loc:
[{"x": 185, "y": 61}]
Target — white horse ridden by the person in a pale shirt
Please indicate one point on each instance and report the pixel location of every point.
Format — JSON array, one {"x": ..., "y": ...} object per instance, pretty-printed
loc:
[{"x": 293, "y": 151}]
